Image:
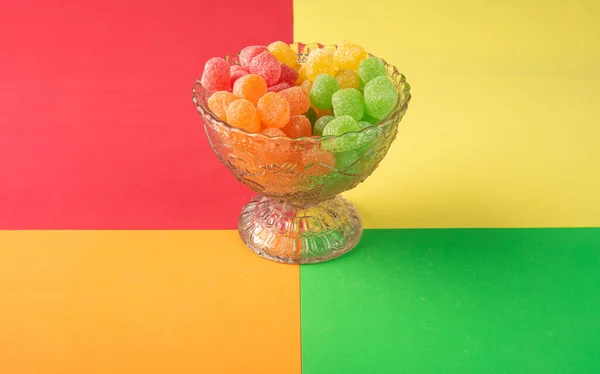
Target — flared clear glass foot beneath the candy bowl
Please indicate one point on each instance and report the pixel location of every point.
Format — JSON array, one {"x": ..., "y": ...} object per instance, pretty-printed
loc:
[{"x": 293, "y": 234}]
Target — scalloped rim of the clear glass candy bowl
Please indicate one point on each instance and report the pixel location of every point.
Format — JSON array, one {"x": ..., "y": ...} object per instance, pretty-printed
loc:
[{"x": 198, "y": 92}]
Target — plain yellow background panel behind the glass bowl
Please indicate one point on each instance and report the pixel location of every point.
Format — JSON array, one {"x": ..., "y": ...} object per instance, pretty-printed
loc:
[{"x": 504, "y": 126}]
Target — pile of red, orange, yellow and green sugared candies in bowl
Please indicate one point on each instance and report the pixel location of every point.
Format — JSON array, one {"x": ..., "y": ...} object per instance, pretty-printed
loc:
[{"x": 333, "y": 93}]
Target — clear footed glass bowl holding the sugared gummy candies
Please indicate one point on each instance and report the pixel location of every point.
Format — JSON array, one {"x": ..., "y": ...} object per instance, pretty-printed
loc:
[{"x": 299, "y": 217}]
